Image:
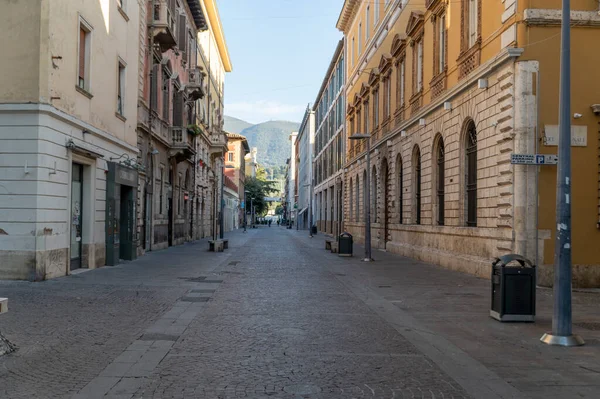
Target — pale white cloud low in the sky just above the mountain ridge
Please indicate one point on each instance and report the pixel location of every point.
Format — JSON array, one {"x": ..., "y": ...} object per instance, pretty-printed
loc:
[{"x": 263, "y": 110}]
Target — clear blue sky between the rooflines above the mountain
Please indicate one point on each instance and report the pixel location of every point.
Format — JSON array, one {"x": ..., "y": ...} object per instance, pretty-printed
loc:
[{"x": 280, "y": 50}]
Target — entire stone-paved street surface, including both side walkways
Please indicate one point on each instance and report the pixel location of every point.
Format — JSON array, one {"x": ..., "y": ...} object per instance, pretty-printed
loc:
[{"x": 277, "y": 316}]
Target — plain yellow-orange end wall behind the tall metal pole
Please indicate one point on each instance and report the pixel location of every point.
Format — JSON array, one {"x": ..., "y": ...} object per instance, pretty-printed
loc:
[{"x": 543, "y": 44}]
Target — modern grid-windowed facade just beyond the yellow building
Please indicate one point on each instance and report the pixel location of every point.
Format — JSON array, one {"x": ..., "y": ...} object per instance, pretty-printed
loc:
[{"x": 330, "y": 143}]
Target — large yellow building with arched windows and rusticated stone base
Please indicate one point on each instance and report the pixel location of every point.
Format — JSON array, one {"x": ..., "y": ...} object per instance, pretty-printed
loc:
[{"x": 449, "y": 90}]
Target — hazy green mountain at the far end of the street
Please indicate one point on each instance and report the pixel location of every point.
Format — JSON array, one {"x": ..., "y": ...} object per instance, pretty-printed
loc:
[{"x": 271, "y": 138}]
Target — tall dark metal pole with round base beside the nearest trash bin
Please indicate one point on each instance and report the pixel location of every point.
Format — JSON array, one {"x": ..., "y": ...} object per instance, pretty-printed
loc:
[{"x": 562, "y": 318}]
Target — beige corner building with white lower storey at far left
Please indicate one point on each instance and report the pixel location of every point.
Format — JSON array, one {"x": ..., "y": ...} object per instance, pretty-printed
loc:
[{"x": 67, "y": 135}]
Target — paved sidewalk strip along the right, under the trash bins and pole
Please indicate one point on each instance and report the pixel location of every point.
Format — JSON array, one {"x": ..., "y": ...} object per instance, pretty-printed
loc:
[{"x": 456, "y": 307}]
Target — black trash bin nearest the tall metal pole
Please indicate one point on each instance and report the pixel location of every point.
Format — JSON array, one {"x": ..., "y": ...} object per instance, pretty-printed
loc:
[{"x": 513, "y": 289}]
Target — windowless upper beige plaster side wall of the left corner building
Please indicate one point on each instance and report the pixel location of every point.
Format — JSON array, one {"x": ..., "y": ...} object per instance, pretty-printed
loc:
[{"x": 20, "y": 43}]
